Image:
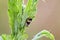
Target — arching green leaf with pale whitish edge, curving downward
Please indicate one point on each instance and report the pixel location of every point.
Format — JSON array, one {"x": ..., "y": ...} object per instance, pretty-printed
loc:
[{"x": 44, "y": 33}]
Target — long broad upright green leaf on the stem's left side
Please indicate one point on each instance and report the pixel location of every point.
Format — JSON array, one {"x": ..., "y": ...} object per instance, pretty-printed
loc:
[{"x": 14, "y": 12}]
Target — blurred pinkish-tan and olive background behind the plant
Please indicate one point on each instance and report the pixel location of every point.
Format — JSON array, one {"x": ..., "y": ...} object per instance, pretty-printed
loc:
[{"x": 47, "y": 17}]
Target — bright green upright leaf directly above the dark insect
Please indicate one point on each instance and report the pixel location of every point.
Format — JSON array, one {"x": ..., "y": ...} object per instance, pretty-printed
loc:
[{"x": 31, "y": 8}]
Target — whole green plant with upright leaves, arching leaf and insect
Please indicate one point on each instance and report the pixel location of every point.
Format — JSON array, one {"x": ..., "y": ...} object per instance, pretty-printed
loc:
[{"x": 20, "y": 16}]
